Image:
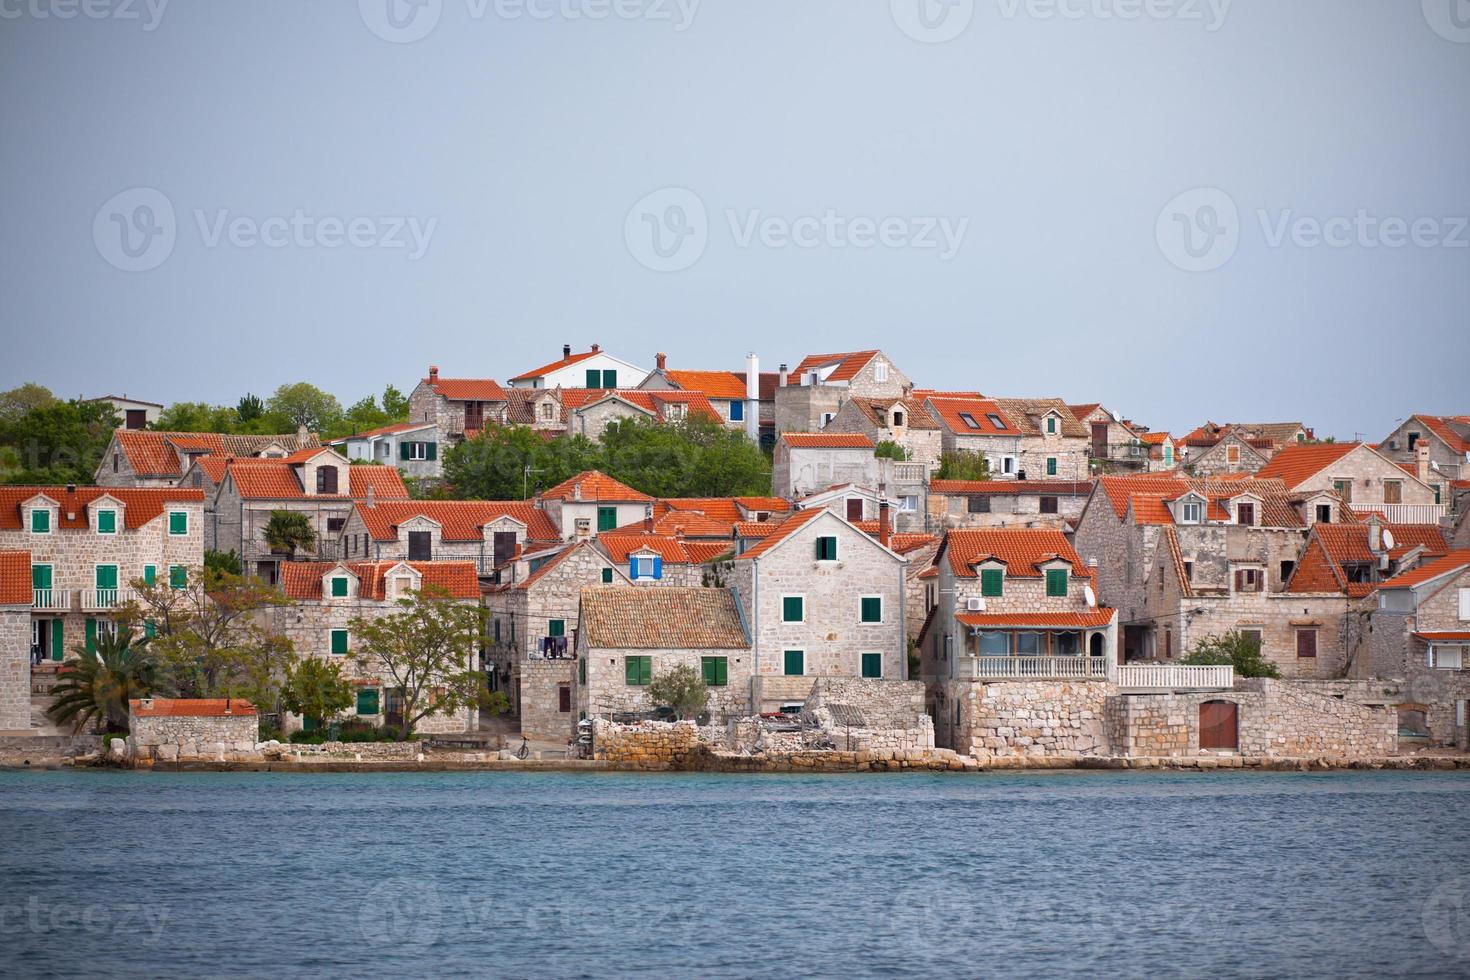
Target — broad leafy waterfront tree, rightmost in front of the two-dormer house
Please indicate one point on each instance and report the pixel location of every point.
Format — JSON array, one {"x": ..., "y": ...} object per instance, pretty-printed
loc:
[{"x": 427, "y": 652}]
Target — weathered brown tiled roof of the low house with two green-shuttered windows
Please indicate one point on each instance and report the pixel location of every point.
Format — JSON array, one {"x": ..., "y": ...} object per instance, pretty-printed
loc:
[{"x": 664, "y": 618}]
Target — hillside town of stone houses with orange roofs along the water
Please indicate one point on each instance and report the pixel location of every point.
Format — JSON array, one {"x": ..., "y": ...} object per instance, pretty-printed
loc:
[{"x": 950, "y": 575}]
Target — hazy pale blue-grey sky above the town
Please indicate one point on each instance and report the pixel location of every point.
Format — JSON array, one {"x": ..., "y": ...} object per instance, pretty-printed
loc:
[{"x": 1186, "y": 209}]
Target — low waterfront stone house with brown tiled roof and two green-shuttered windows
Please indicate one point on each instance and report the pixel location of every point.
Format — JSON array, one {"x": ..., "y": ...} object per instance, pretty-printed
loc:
[{"x": 630, "y": 637}]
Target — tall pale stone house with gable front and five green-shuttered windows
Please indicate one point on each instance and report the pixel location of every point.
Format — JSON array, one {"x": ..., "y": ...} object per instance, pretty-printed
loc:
[{"x": 822, "y": 600}]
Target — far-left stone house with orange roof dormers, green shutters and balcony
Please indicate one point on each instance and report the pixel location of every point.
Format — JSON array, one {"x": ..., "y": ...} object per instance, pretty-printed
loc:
[{"x": 89, "y": 546}]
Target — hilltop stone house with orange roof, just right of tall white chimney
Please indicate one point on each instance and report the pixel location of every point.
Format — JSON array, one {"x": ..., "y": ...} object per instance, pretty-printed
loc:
[{"x": 812, "y": 396}]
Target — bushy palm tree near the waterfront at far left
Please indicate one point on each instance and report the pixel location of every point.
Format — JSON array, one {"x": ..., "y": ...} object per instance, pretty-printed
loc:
[{"x": 98, "y": 687}]
